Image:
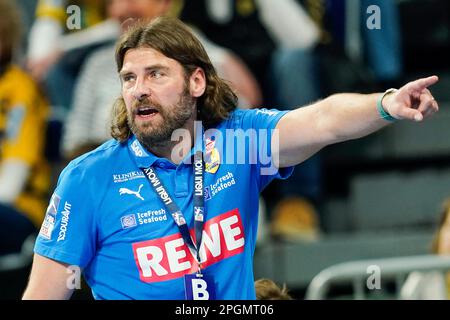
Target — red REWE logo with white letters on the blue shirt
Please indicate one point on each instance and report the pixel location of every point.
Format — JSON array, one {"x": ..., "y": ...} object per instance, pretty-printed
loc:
[{"x": 169, "y": 257}]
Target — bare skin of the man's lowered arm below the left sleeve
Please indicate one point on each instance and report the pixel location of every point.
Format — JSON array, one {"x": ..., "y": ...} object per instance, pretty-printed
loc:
[{"x": 48, "y": 280}]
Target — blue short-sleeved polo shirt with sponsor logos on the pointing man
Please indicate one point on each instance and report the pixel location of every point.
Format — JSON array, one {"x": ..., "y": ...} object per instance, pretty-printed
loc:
[{"x": 105, "y": 217}]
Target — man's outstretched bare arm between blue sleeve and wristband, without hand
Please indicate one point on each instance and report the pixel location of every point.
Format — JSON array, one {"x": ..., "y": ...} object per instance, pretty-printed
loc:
[{"x": 337, "y": 118}]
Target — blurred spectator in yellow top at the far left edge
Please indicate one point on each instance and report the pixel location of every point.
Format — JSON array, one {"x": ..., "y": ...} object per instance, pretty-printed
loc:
[{"x": 24, "y": 174}]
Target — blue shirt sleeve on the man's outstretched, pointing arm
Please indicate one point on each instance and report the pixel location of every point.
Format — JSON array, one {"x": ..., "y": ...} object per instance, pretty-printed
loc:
[{"x": 262, "y": 123}]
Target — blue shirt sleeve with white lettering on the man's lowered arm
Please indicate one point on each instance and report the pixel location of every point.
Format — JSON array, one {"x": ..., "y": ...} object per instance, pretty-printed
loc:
[{"x": 68, "y": 233}]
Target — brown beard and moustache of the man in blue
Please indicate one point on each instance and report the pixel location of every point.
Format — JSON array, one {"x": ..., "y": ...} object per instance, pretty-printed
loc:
[{"x": 173, "y": 117}]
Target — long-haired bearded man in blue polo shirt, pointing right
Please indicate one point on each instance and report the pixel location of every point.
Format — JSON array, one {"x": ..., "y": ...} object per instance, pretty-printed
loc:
[{"x": 153, "y": 214}]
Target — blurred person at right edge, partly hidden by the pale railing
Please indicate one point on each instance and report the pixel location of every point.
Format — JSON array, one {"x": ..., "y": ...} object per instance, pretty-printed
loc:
[{"x": 432, "y": 285}]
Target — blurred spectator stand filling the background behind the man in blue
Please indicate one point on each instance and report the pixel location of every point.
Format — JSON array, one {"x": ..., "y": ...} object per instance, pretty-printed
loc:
[{"x": 372, "y": 200}]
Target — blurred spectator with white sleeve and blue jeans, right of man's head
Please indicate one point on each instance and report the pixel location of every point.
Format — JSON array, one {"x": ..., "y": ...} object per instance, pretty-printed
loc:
[{"x": 274, "y": 38}]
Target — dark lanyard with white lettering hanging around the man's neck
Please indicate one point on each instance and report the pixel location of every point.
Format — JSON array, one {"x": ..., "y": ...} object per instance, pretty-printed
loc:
[{"x": 172, "y": 207}]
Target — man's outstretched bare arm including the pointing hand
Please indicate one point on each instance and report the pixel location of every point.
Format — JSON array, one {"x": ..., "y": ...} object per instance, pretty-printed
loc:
[{"x": 347, "y": 116}]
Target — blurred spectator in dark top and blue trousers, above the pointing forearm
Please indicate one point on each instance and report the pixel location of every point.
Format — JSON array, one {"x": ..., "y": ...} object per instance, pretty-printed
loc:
[{"x": 360, "y": 44}]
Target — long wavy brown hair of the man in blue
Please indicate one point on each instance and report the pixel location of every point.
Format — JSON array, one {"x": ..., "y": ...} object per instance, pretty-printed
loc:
[{"x": 175, "y": 40}]
